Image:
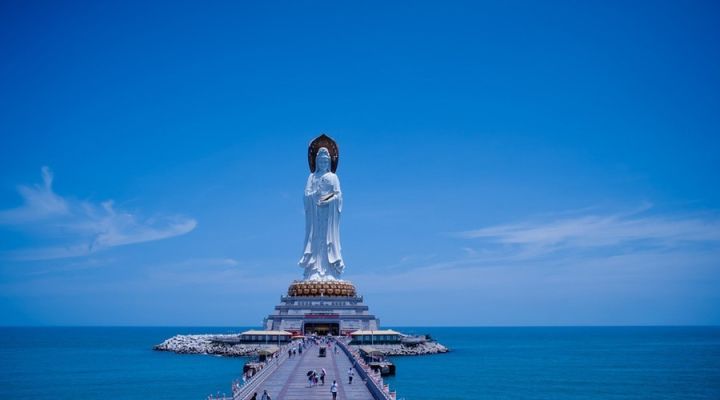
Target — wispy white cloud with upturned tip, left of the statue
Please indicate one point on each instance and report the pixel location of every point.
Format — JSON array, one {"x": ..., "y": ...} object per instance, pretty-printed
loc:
[{"x": 84, "y": 227}]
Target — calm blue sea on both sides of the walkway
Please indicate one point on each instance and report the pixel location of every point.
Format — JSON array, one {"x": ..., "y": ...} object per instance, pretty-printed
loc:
[{"x": 485, "y": 363}]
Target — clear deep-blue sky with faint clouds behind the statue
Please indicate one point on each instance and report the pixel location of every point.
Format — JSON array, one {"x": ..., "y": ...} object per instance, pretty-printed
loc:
[{"x": 508, "y": 163}]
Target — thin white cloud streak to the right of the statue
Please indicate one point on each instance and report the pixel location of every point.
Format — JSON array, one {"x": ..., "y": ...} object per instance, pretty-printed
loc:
[{"x": 584, "y": 241}]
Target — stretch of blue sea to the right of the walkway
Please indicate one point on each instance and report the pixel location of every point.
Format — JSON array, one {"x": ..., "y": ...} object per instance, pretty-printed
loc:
[{"x": 565, "y": 363}]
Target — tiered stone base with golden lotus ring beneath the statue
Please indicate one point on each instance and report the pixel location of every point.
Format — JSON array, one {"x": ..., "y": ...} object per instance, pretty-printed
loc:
[{"x": 322, "y": 308}]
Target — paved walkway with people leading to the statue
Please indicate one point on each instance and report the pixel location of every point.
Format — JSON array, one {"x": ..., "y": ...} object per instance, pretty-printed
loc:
[{"x": 290, "y": 382}]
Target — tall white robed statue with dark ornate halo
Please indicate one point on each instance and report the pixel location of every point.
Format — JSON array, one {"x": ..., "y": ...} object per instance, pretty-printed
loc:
[{"x": 322, "y": 259}]
